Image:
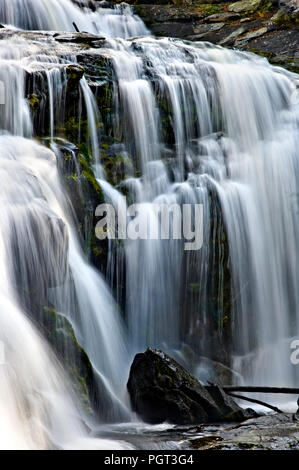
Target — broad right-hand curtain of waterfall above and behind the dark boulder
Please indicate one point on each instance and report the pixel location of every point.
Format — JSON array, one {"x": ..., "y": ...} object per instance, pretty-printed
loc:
[{"x": 230, "y": 144}]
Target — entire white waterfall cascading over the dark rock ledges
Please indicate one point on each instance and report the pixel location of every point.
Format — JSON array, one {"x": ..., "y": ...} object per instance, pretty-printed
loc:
[{"x": 199, "y": 124}]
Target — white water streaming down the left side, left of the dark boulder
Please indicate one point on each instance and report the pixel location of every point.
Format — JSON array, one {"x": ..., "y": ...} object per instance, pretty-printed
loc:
[{"x": 40, "y": 253}]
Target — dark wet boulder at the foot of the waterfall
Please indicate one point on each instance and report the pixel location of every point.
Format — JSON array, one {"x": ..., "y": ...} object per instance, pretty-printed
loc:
[{"x": 162, "y": 390}]
